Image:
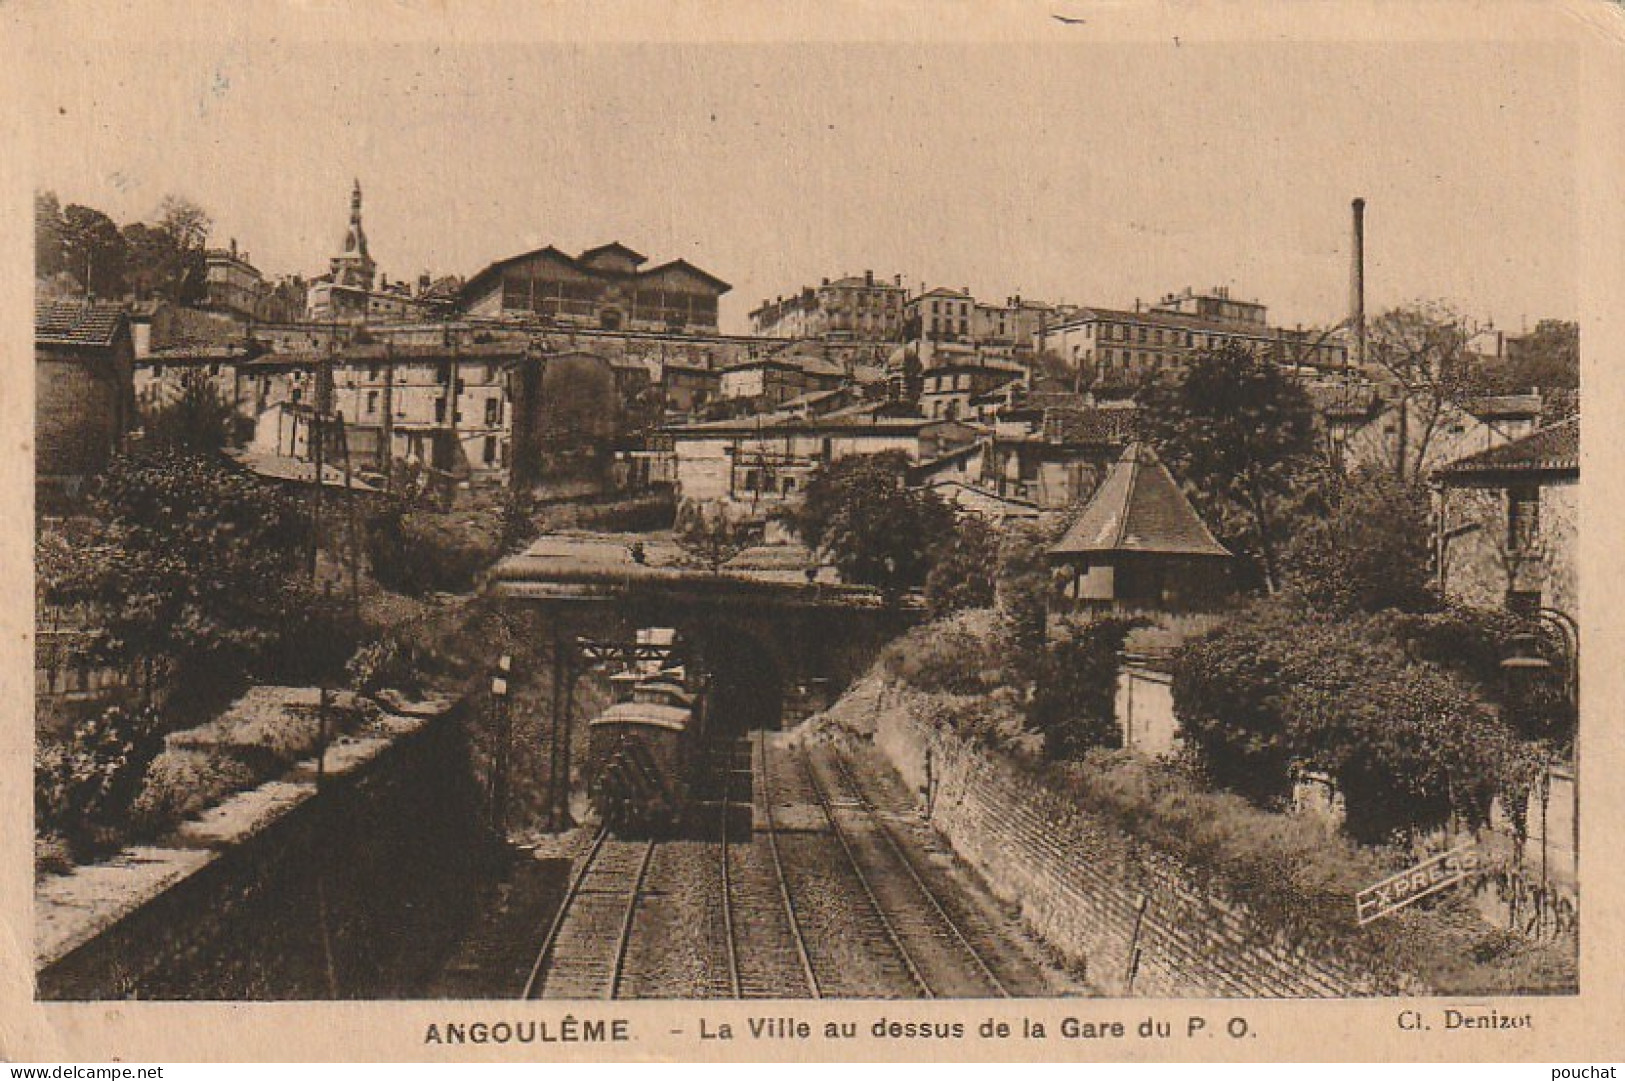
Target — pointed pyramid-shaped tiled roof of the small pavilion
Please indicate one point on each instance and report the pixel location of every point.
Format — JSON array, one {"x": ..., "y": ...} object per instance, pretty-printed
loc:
[{"x": 1140, "y": 508}]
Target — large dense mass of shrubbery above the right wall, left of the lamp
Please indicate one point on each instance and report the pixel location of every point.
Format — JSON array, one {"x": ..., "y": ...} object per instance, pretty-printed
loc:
[{"x": 1283, "y": 688}]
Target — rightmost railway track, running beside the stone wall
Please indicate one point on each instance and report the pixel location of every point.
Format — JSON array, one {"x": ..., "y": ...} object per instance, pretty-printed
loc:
[{"x": 937, "y": 953}]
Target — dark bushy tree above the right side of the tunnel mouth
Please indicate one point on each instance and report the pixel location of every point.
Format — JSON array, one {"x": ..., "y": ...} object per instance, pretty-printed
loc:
[{"x": 865, "y": 518}]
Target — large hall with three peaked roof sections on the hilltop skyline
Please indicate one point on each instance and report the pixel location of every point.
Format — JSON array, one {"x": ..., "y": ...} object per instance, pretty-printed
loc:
[{"x": 605, "y": 287}]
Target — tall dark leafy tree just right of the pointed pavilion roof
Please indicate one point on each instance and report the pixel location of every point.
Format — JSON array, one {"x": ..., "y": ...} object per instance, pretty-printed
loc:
[{"x": 1241, "y": 436}]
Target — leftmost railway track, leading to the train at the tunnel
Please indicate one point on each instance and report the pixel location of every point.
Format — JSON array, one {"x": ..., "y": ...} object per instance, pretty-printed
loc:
[{"x": 584, "y": 953}]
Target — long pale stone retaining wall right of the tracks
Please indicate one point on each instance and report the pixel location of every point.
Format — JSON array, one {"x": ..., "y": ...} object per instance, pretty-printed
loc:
[{"x": 1137, "y": 919}]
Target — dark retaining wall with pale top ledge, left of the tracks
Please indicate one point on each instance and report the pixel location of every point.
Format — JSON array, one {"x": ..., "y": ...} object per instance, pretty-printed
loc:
[{"x": 355, "y": 890}]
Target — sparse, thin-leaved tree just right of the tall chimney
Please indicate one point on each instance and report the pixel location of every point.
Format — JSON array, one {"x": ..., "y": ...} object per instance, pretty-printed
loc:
[{"x": 1424, "y": 354}]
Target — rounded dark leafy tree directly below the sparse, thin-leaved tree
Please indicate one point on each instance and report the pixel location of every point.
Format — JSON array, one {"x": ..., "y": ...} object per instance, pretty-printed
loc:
[{"x": 1367, "y": 550}]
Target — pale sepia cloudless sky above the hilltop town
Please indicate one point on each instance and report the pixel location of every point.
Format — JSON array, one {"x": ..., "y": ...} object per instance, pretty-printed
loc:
[{"x": 1083, "y": 170}]
